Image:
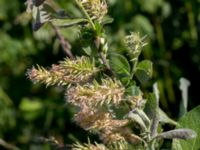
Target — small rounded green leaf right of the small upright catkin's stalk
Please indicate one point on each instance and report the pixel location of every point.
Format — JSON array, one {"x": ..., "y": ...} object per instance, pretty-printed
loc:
[{"x": 144, "y": 71}]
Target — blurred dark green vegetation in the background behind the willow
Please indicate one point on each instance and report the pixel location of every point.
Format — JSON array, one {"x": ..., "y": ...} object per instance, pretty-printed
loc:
[{"x": 30, "y": 111}]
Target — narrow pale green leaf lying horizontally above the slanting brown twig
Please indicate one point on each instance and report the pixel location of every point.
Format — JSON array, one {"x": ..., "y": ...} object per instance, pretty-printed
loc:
[{"x": 66, "y": 22}]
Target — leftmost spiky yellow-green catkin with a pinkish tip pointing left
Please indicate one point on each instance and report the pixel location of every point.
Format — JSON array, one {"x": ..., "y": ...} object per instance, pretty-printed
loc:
[{"x": 66, "y": 72}]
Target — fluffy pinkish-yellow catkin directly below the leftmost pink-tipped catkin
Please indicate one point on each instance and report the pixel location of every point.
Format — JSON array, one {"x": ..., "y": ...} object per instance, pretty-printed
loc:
[{"x": 108, "y": 92}]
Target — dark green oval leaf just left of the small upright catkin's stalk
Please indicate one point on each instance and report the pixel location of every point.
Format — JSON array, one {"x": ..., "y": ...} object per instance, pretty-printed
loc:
[{"x": 120, "y": 66}]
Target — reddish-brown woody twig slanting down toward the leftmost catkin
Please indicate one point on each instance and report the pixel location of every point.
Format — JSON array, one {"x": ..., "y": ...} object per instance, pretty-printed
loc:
[{"x": 65, "y": 44}]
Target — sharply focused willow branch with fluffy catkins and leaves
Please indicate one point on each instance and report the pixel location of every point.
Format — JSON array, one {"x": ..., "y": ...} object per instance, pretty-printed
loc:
[{"x": 104, "y": 85}]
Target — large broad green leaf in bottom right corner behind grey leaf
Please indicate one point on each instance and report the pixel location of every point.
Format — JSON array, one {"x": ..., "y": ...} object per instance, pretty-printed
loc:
[{"x": 189, "y": 120}]
